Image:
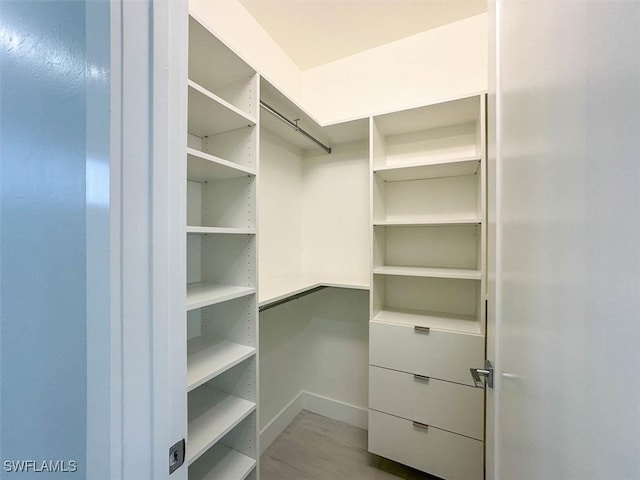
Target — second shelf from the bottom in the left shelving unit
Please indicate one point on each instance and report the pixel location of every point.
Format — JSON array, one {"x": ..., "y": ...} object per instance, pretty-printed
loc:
[{"x": 208, "y": 426}]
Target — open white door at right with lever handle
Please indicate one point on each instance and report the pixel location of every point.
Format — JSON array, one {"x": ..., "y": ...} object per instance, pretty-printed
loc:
[{"x": 568, "y": 241}]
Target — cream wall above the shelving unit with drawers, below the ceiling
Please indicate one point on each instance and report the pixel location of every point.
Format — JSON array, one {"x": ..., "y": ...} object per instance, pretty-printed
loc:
[{"x": 446, "y": 62}]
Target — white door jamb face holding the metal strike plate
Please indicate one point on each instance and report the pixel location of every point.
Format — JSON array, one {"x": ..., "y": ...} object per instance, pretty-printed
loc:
[{"x": 168, "y": 242}]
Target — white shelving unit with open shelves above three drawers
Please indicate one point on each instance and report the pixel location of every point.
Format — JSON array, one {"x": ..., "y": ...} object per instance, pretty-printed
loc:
[{"x": 428, "y": 283}]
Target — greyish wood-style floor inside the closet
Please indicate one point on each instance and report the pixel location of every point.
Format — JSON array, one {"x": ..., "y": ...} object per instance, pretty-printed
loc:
[{"x": 314, "y": 447}]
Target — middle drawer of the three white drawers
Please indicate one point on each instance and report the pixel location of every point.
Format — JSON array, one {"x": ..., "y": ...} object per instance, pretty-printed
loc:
[{"x": 446, "y": 405}]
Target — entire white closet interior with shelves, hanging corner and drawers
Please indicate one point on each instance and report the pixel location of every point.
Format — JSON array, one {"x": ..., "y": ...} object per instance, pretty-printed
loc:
[{"x": 336, "y": 270}]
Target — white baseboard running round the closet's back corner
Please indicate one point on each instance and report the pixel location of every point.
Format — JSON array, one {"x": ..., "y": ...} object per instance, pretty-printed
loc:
[{"x": 325, "y": 406}]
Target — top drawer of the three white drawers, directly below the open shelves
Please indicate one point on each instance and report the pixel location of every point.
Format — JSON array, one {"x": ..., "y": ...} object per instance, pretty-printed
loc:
[{"x": 437, "y": 353}]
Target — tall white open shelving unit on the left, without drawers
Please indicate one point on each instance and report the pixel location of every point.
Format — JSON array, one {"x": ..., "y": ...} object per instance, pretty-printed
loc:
[{"x": 222, "y": 167}]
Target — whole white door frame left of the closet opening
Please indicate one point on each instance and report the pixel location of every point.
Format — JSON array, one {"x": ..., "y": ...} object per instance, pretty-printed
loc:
[{"x": 139, "y": 364}]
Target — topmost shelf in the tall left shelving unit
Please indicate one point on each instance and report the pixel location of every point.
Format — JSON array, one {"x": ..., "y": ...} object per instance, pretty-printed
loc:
[{"x": 211, "y": 115}]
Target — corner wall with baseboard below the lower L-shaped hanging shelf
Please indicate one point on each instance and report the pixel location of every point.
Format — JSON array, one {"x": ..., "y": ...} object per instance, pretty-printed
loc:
[{"x": 314, "y": 354}]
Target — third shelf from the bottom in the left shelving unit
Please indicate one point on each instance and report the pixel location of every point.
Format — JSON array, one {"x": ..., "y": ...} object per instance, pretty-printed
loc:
[{"x": 209, "y": 357}]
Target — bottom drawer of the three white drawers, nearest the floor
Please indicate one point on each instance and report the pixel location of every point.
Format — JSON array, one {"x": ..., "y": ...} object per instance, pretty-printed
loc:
[{"x": 435, "y": 451}]
